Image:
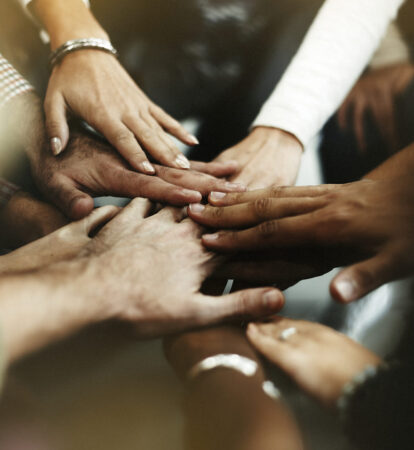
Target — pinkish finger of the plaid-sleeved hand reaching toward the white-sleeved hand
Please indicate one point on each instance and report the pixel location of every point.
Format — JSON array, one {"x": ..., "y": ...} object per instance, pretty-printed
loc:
[{"x": 200, "y": 182}]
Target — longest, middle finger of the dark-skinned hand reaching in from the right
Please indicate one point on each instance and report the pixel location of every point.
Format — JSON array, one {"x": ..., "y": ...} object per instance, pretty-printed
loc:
[{"x": 253, "y": 213}]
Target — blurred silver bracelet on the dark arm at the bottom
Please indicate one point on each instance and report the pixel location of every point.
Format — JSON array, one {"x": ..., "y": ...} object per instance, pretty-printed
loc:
[{"x": 233, "y": 361}]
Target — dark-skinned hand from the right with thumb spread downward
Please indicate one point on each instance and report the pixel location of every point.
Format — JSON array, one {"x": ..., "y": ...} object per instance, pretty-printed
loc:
[{"x": 374, "y": 218}]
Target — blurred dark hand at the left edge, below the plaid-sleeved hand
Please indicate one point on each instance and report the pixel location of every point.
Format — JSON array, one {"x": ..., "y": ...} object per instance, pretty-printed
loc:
[{"x": 24, "y": 219}]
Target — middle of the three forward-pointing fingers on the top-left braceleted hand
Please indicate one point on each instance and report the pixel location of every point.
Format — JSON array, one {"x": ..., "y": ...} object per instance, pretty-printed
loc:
[{"x": 157, "y": 143}]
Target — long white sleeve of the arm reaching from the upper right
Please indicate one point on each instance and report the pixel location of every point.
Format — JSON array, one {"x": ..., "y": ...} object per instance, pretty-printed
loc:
[{"x": 336, "y": 49}]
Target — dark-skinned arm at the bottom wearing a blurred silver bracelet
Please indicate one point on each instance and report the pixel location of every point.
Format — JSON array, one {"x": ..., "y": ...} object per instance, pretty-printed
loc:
[{"x": 225, "y": 409}]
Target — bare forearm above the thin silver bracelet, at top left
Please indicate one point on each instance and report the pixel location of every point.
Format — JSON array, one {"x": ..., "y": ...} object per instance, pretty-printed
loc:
[{"x": 65, "y": 20}]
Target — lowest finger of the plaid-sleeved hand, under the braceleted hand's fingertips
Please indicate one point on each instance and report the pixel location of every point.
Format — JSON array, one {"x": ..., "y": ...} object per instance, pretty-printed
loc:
[{"x": 131, "y": 184}]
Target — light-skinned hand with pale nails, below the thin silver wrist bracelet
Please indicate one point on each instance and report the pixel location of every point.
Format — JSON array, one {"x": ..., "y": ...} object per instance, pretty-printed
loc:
[{"x": 94, "y": 86}]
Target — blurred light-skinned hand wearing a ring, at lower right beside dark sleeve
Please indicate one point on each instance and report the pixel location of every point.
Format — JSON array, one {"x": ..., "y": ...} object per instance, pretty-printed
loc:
[{"x": 320, "y": 360}]
